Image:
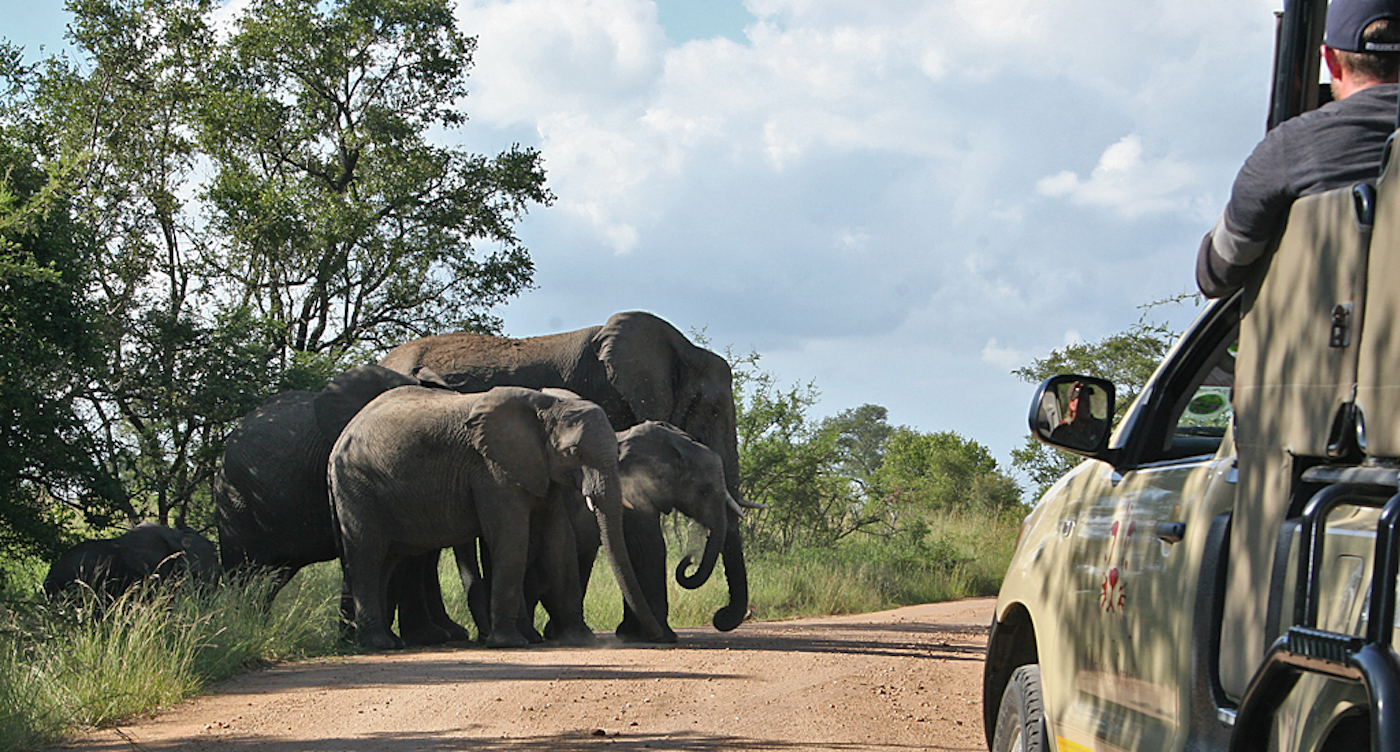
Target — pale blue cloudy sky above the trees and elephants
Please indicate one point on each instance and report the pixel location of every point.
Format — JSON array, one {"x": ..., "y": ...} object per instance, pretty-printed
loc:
[{"x": 897, "y": 202}]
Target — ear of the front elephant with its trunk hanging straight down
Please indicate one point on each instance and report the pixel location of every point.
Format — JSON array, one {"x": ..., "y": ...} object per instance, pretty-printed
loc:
[{"x": 506, "y": 428}]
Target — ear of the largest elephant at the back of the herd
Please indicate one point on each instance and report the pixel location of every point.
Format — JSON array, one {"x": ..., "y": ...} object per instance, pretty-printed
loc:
[{"x": 642, "y": 355}]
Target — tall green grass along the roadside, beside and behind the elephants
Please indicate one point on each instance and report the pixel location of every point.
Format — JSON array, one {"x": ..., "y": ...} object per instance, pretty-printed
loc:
[{"x": 65, "y": 669}]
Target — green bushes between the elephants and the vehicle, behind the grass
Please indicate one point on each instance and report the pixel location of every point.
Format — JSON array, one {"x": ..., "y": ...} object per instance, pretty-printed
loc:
[{"x": 852, "y": 474}]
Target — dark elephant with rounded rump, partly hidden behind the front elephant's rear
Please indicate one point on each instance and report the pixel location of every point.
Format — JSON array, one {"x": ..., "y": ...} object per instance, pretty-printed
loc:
[{"x": 272, "y": 502}]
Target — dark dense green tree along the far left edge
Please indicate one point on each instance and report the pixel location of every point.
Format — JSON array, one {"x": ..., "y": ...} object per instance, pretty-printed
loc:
[{"x": 48, "y": 344}]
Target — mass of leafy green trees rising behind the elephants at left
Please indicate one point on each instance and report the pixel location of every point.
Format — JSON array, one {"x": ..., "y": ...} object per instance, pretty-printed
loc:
[{"x": 206, "y": 219}]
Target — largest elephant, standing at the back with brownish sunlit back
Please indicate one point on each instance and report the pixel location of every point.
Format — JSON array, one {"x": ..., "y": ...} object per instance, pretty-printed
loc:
[{"x": 636, "y": 368}]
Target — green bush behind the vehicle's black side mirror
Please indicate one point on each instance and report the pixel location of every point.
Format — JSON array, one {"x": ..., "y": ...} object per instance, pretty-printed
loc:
[{"x": 1128, "y": 359}]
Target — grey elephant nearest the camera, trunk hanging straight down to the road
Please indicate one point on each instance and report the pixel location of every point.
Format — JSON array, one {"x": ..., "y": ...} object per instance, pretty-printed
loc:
[{"x": 422, "y": 470}]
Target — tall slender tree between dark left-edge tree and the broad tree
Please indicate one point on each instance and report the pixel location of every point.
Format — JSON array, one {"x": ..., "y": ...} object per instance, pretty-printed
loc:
[{"x": 171, "y": 376}]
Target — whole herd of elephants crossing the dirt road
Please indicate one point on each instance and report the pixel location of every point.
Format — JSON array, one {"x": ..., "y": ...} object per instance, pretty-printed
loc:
[{"x": 523, "y": 456}]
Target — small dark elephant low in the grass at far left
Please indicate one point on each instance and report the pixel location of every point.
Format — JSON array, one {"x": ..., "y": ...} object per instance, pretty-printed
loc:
[{"x": 146, "y": 552}]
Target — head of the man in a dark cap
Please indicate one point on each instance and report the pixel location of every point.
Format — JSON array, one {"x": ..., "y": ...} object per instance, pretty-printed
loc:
[{"x": 1363, "y": 44}]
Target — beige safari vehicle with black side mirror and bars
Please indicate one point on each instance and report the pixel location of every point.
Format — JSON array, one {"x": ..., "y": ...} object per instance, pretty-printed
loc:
[{"x": 1221, "y": 572}]
